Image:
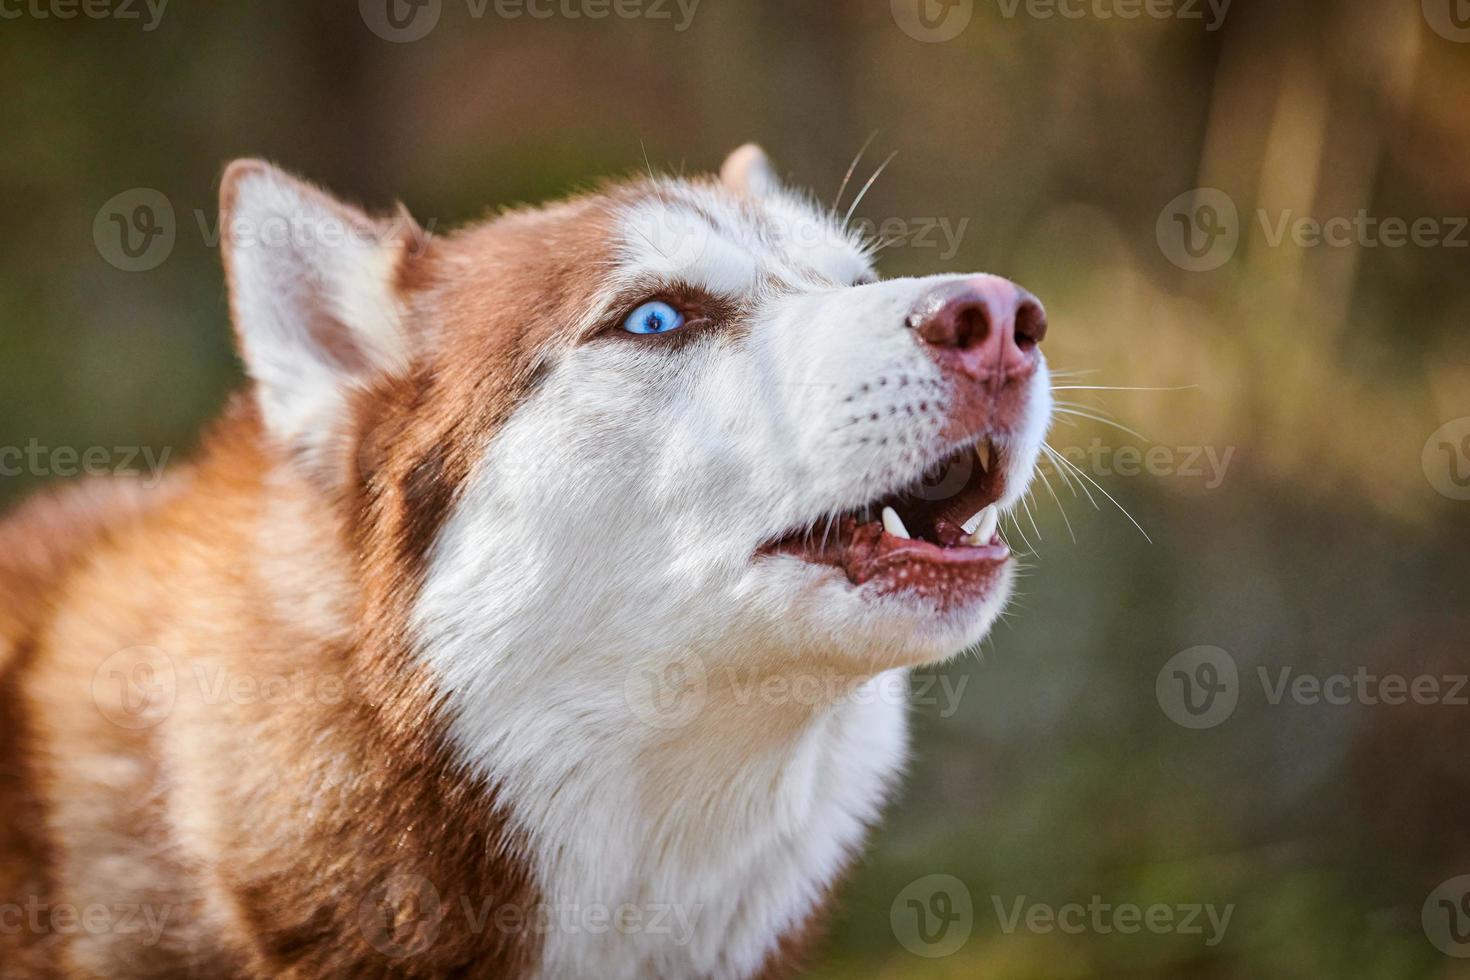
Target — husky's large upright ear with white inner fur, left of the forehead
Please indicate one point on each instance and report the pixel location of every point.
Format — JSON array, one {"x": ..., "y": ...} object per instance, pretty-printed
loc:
[{"x": 315, "y": 302}]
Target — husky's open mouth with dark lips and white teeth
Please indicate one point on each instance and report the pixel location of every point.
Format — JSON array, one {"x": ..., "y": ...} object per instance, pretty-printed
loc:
[{"x": 939, "y": 537}]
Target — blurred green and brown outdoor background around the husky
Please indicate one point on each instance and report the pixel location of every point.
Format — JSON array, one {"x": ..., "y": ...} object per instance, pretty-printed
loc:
[{"x": 1330, "y": 538}]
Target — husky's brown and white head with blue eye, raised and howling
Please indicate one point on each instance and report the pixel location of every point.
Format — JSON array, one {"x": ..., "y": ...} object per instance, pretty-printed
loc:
[{"x": 671, "y": 418}]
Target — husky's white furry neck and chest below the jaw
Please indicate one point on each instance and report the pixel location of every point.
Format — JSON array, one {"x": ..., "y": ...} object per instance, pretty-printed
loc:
[{"x": 724, "y": 835}]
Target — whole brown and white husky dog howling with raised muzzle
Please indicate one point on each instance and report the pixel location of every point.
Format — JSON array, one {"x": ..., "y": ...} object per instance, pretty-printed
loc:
[{"x": 542, "y": 609}]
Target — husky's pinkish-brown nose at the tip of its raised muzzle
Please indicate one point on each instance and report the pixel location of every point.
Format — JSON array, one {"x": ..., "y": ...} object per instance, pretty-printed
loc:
[{"x": 984, "y": 327}]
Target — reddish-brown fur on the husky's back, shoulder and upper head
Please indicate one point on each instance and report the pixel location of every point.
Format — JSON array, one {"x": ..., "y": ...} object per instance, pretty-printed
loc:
[{"x": 293, "y": 835}]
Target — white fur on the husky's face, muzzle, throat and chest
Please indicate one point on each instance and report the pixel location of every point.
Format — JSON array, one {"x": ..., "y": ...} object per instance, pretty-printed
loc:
[{"x": 602, "y": 625}]
